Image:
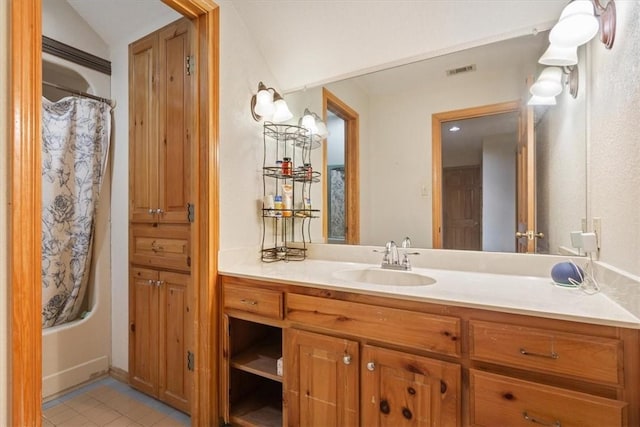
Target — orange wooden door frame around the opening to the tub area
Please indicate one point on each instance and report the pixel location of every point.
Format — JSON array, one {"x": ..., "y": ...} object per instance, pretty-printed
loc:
[{"x": 24, "y": 236}]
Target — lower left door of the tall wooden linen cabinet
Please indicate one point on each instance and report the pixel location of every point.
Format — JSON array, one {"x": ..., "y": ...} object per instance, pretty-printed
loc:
[{"x": 143, "y": 330}]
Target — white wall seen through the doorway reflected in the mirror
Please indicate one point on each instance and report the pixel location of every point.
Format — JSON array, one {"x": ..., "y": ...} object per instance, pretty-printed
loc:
[{"x": 499, "y": 193}]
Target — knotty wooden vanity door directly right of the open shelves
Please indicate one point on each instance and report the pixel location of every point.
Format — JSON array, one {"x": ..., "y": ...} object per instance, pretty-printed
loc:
[{"x": 321, "y": 380}]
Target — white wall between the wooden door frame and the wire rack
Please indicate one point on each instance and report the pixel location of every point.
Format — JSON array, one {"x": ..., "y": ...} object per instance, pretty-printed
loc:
[{"x": 241, "y": 145}]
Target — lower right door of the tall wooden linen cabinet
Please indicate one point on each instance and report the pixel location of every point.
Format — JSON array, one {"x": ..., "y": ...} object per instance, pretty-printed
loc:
[{"x": 175, "y": 343}]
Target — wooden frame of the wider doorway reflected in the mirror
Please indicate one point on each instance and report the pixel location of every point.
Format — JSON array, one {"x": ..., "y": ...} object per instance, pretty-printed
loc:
[{"x": 436, "y": 153}]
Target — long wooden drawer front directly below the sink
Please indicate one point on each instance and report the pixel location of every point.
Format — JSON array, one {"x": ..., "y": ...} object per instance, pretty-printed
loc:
[{"x": 440, "y": 334}]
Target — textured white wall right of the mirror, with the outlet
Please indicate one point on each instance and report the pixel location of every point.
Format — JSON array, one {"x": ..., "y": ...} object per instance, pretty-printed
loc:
[{"x": 614, "y": 151}]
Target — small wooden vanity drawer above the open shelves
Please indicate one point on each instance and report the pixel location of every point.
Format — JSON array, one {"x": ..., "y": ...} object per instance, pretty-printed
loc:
[{"x": 265, "y": 302}]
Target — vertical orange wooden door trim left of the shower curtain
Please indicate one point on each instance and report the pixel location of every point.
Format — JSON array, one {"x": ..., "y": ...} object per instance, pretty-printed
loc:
[{"x": 25, "y": 292}]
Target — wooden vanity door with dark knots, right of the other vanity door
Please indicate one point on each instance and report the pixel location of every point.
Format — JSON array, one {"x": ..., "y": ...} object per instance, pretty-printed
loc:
[{"x": 400, "y": 389}]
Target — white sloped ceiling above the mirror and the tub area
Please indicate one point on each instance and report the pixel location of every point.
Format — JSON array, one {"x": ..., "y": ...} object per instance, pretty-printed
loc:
[{"x": 306, "y": 42}]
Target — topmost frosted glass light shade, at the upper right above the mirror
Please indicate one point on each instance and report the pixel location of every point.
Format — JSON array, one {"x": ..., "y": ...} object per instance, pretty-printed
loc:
[{"x": 577, "y": 25}]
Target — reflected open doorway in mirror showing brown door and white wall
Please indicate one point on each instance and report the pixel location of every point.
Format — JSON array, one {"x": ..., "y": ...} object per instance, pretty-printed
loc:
[{"x": 478, "y": 172}]
